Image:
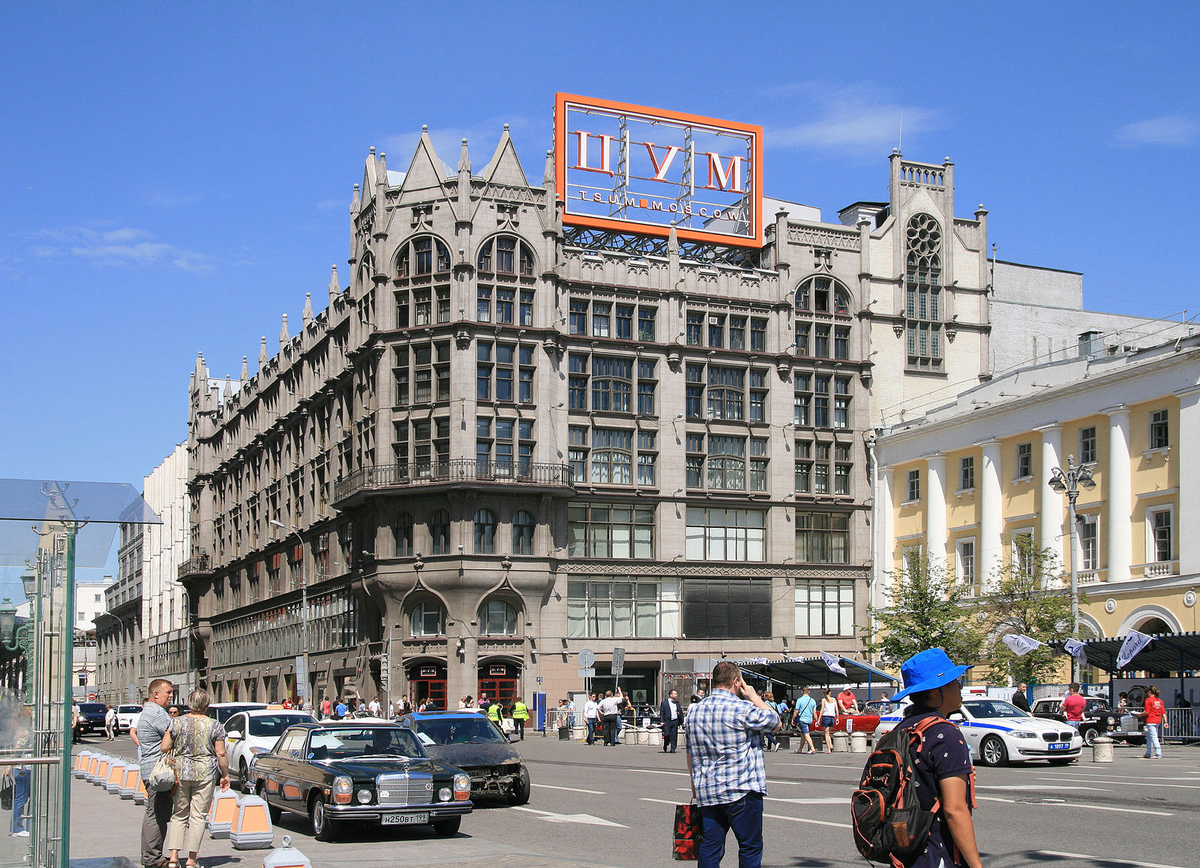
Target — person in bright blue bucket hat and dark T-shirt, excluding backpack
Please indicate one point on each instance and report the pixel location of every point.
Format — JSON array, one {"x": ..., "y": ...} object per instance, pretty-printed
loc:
[{"x": 943, "y": 767}]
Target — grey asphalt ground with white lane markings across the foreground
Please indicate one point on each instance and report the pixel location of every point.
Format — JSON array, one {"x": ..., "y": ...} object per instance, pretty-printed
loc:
[{"x": 615, "y": 807}]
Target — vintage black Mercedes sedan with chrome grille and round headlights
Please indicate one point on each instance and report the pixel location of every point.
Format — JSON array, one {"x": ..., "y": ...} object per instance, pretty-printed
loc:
[{"x": 359, "y": 771}]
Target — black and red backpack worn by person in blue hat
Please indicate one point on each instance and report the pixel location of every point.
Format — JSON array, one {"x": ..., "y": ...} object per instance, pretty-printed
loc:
[{"x": 890, "y": 824}]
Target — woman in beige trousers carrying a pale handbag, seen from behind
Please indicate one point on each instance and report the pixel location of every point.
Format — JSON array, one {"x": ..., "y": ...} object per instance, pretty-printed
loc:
[{"x": 199, "y": 746}]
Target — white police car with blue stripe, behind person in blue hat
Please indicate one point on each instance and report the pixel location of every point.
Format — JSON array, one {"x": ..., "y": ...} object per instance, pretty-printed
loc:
[{"x": 999, "y": 733}]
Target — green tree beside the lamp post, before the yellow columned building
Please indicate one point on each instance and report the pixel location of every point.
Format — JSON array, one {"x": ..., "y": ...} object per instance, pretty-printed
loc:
[{"x": 1028, "y": 598}]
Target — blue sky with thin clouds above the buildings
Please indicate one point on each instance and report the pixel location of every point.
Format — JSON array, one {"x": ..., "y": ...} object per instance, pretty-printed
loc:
[{"x": 176, "y": 178}]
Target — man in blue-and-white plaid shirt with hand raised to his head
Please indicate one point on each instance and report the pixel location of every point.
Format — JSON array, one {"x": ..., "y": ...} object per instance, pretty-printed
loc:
[{"x": 729, "y": 777}]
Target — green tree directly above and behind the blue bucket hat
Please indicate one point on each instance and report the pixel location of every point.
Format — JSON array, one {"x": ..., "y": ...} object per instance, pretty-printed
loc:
[{"x": 927, "y": 610}]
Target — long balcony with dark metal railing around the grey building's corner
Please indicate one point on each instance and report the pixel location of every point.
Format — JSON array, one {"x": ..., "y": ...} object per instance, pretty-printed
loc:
[{"x": 455, "y": 474}]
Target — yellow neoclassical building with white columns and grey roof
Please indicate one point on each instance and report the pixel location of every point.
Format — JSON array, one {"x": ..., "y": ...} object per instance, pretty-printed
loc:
[{"x": 964, "y": 482}]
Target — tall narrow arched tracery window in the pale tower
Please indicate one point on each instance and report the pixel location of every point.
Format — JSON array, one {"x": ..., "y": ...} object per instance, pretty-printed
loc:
[{"x": 923, "y": 292}]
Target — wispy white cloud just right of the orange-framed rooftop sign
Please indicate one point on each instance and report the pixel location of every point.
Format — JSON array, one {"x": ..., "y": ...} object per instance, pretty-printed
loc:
[{"x": 856, "y": 119}]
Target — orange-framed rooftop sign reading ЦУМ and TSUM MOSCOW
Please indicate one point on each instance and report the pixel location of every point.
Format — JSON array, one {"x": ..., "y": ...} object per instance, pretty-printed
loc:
[{"x": 631, "y": 169}]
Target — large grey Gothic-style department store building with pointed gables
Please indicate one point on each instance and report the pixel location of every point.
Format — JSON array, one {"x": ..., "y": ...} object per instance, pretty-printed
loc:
[{"x": 509, "y": 440}]
